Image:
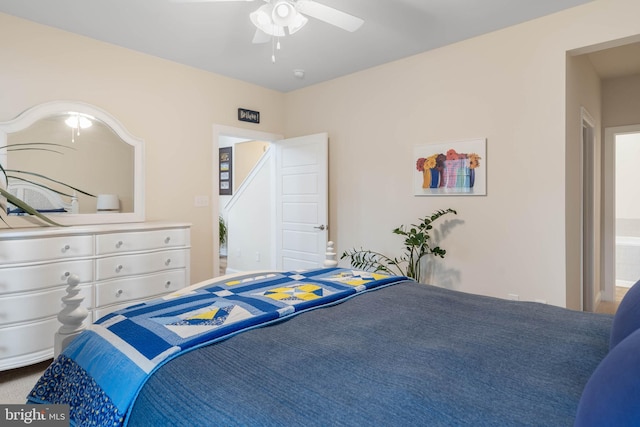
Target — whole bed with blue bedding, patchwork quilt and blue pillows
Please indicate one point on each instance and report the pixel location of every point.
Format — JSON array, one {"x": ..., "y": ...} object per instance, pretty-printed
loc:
[{"x": 336, "y": 346}]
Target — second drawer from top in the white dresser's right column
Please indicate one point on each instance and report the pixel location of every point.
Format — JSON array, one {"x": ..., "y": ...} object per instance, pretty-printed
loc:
[{"x": 127, "y": 265}]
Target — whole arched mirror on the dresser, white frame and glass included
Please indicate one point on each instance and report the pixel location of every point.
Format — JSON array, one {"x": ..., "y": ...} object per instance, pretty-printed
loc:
[{"x": 81, "y": 146}]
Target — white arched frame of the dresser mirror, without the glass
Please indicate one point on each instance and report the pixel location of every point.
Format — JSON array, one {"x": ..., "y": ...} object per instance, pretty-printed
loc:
[{"x": 41, "y": 111}]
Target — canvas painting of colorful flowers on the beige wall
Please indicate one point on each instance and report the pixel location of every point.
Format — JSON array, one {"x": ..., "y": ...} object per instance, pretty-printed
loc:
[{"x": 451, "y": 168}]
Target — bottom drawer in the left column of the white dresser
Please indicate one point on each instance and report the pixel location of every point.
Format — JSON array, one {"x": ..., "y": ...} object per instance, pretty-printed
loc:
[{"x": 27, "y": 340}]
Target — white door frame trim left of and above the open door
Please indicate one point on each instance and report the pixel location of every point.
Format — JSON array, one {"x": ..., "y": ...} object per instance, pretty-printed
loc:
[{"x": 218, "y": 132}]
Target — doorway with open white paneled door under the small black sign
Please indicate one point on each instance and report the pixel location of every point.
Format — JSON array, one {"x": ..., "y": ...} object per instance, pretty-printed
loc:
[{"x": 278, "y": 217}]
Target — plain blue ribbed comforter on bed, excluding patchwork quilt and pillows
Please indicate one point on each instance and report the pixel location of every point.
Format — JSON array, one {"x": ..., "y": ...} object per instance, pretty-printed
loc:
[{"x": 403, "y": 355}]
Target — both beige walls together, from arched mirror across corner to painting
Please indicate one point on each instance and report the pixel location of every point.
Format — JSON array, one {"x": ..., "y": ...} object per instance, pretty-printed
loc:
[{"x": 508, "y": 86}]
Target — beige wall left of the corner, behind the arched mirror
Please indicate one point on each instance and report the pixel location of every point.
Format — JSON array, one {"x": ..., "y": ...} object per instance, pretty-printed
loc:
[{"x": 172, "y": 107}]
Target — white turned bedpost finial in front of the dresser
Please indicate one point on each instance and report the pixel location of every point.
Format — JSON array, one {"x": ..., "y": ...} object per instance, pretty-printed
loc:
[{"x": 71, "y": 316}]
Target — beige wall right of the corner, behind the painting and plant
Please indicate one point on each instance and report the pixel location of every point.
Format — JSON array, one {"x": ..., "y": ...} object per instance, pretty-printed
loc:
[{"x": 508, "y": 86}]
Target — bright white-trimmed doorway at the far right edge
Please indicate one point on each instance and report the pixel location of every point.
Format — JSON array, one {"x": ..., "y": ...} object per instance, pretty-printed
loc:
[{"x": 621, "y": 211}]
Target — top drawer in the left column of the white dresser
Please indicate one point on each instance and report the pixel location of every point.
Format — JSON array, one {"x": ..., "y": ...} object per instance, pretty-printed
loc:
[{"x": 50, "y": 248}]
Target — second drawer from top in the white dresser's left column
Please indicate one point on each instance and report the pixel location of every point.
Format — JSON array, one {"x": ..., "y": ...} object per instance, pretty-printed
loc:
[{"x": 29, "y": 278}]
